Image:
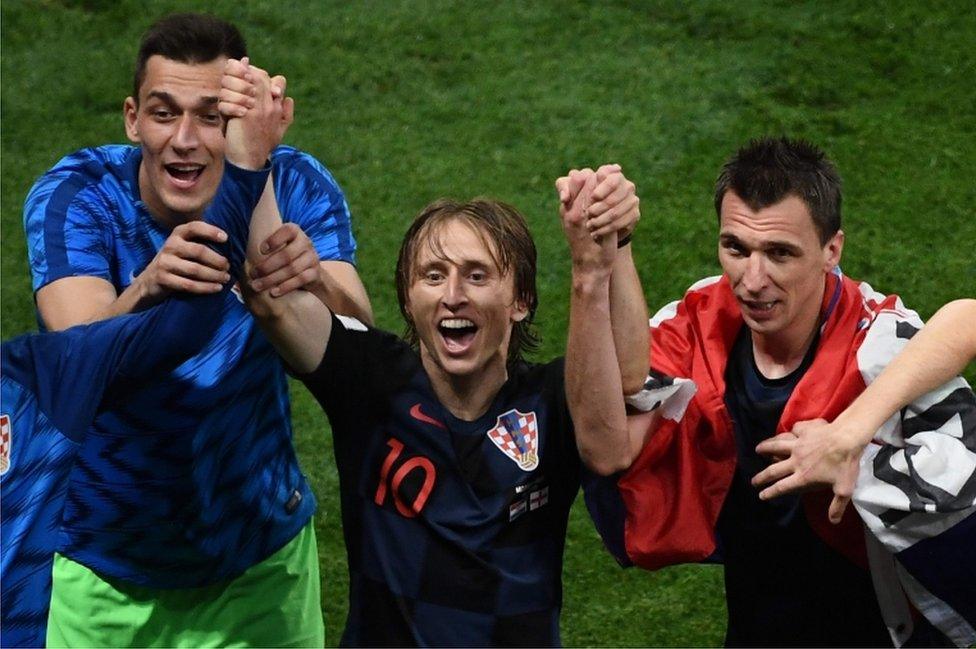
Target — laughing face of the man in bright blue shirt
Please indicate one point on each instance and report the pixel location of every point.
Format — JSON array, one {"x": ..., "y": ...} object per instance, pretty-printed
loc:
[{"x": 181, "y": 132}]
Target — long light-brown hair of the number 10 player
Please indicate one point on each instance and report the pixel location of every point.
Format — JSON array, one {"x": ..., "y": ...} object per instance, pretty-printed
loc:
[{"x": 504, "y": 232}]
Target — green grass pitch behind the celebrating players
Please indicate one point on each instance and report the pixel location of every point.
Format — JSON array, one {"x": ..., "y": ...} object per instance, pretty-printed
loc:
[{"x": 406, "y": 102}]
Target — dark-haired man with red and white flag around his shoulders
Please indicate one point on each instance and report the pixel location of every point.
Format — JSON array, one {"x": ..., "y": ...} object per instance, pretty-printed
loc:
[{"x": 781, "y": 337}]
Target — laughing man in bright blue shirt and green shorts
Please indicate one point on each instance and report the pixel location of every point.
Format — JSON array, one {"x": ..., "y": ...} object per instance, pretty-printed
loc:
[{"x": 187, "y": 515}]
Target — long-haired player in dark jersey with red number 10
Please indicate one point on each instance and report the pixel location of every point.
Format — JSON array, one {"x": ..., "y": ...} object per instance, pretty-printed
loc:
[{"x": 458, "y": 461}]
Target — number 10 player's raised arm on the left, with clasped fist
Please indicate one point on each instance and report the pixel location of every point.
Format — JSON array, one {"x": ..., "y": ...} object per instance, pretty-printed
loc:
[{"x": 297, "y": 323}]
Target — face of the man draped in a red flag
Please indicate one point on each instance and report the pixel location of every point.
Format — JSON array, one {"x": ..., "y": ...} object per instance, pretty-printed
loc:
[{"x": 776, "y": 265}]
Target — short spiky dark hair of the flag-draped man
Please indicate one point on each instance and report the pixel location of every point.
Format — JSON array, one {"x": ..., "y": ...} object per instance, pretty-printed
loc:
[{"x": 771, "y": 169}]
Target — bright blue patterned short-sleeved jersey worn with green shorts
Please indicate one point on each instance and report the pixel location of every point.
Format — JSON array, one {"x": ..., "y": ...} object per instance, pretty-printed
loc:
[{"x": 194, "y": 478}]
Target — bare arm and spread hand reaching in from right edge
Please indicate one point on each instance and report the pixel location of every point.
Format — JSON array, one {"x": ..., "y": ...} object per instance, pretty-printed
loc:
[{"x": 821, "y": 454}]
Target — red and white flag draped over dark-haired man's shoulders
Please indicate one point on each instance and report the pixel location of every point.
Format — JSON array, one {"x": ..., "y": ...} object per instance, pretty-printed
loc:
[{"x": 917, "y": 485}]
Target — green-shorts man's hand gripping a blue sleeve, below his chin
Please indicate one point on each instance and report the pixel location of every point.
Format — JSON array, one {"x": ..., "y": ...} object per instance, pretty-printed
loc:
[{"x": 184, "y": 263}]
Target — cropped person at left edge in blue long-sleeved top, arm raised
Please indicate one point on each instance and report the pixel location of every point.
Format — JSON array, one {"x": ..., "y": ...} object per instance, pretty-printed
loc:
[{"x": 53, "y": 385}]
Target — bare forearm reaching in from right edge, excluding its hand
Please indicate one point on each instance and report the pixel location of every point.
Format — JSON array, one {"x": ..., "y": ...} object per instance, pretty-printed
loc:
[{"x": 932, "y": 357}]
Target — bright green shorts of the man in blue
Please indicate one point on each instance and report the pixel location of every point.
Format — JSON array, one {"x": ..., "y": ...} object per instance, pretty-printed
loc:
[{"x": 276, "y": 603}]
